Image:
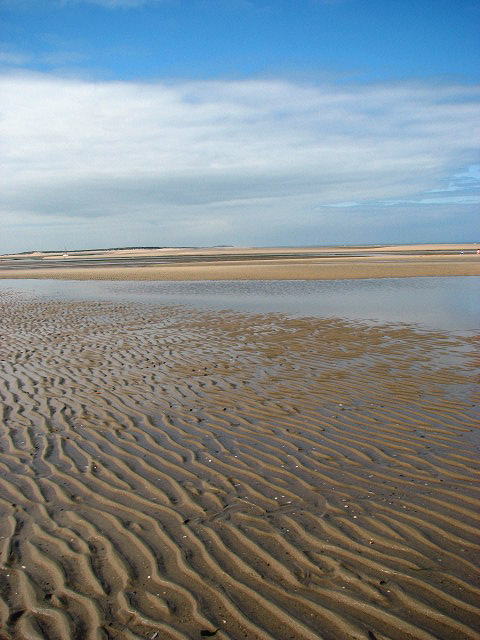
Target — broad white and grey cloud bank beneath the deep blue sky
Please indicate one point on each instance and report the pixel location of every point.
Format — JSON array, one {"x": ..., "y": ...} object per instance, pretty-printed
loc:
[{"x": 240, "y": 161}]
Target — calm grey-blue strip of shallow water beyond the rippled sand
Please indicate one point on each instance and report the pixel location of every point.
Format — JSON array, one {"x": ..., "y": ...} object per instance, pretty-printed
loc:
[{"x": 447, "y": 303}]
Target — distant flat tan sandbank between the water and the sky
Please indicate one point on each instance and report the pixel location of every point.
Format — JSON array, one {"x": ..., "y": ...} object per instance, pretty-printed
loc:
[{"x": 248, "y": 264}]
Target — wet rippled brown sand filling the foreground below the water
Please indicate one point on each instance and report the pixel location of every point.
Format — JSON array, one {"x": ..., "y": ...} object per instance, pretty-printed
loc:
[{"x": 169, "y": 471}]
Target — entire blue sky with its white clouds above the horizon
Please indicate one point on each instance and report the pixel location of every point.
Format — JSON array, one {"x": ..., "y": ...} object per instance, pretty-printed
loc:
[{"x": 238, "y": 122}]
